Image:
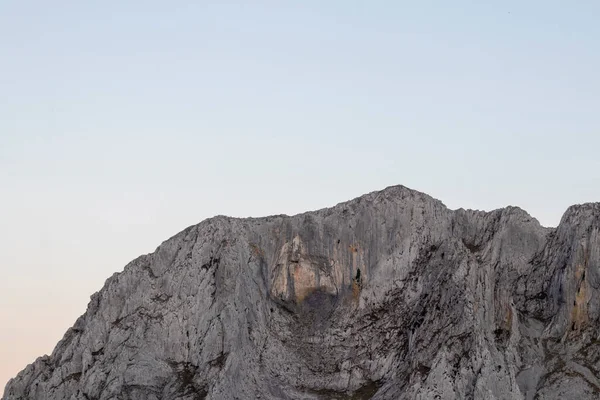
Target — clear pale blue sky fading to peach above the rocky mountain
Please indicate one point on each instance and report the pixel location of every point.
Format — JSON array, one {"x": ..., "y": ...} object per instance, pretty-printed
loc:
[{"x": 121, "y": 123}]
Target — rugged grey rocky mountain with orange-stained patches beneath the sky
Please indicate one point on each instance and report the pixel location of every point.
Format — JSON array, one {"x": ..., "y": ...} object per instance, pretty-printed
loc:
[{"x": 388, "y": 296}]
